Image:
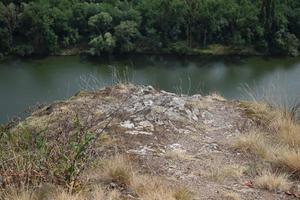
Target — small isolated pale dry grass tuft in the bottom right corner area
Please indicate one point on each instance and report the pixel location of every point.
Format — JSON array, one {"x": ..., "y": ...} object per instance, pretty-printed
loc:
[{"x": 273, "y": 182}]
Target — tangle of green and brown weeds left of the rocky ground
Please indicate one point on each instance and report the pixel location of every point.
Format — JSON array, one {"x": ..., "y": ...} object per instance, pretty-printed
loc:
[{"x": 30, "y": 157}]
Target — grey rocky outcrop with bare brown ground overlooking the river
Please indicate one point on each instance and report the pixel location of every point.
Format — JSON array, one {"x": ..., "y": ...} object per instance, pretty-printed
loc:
[{"x": 184, "y": 138}]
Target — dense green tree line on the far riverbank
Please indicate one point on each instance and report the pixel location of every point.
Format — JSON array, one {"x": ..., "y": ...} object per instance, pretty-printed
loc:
[{"x": 30, "y": 27}]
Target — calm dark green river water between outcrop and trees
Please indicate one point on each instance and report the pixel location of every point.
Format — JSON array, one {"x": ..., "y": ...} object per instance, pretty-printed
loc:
[{"x": 24, "y": 83}]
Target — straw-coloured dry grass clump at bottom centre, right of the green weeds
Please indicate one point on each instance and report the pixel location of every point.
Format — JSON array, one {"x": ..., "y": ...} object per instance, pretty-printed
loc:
[{"x": 147, "y": 187}]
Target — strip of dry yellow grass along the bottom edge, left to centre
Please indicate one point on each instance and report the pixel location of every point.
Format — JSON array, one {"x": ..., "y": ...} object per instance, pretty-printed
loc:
[{"x": 117, "y": 170}]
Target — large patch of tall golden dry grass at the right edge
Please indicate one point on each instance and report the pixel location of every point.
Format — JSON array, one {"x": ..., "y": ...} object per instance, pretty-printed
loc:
[{"x": 280, "y": 128}]
